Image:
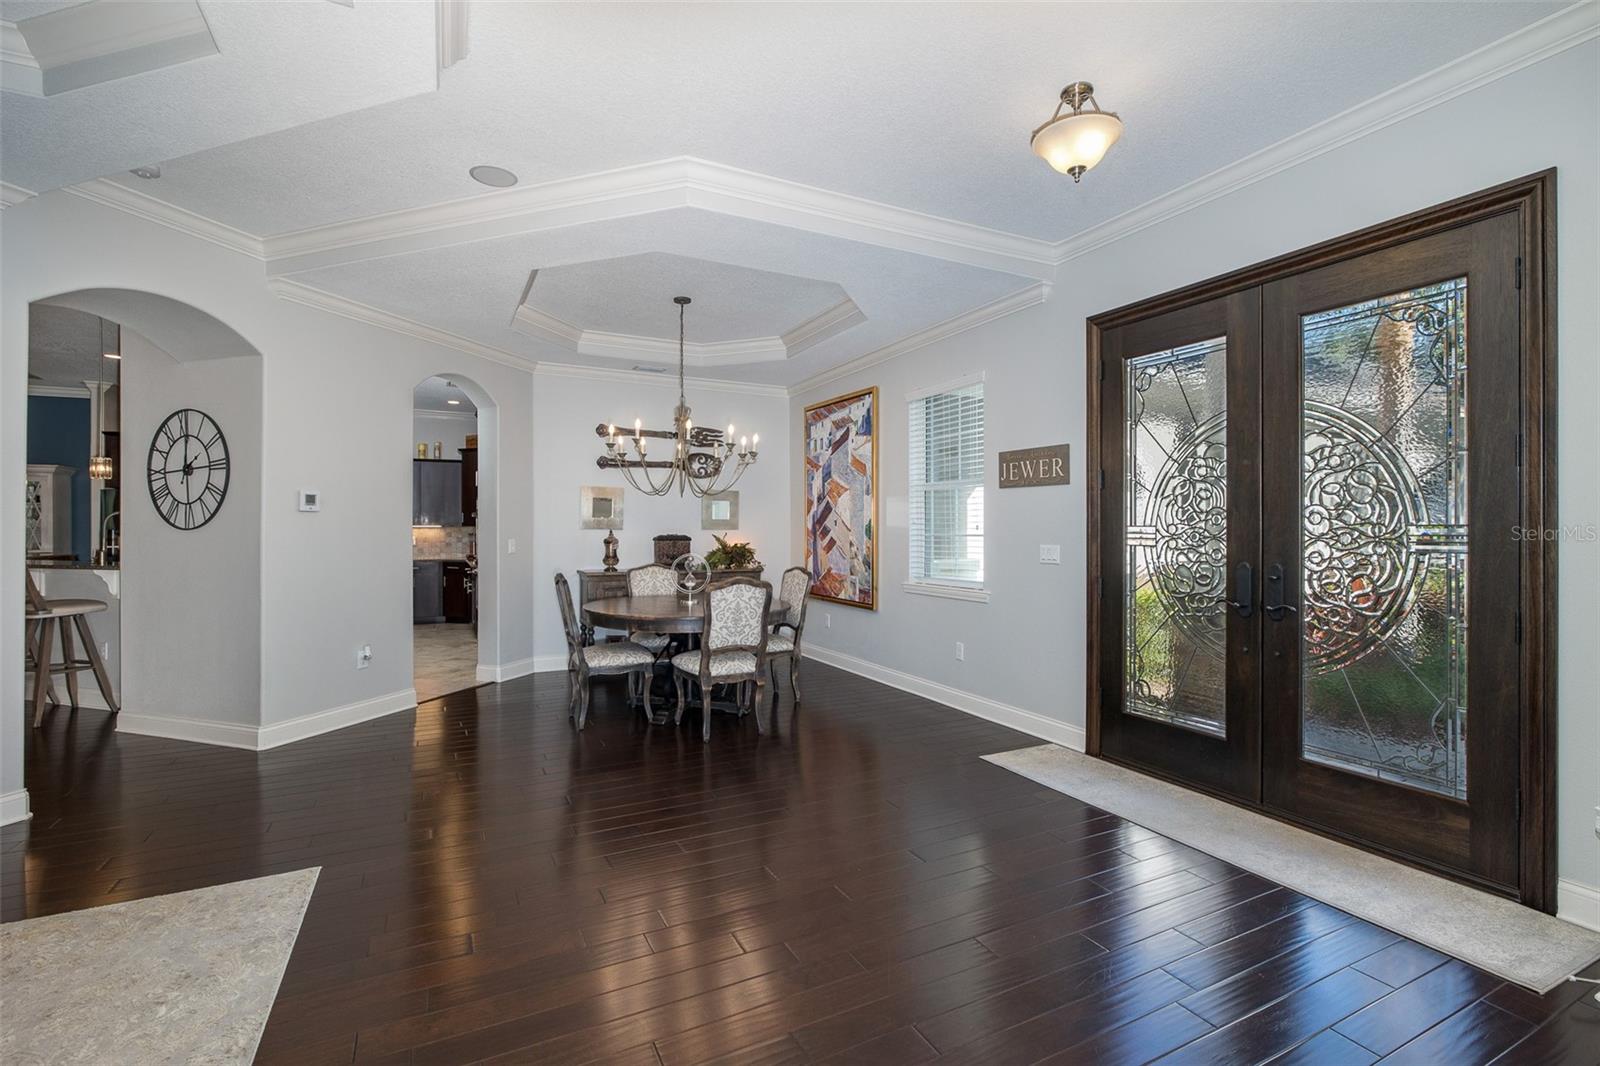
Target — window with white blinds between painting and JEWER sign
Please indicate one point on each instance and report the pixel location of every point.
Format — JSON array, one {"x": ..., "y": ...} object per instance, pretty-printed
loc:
[{"x": 948, "y": 486}]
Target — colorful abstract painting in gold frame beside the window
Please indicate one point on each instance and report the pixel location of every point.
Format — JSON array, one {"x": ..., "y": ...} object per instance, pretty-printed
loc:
[{"x": 842, "y": 499}]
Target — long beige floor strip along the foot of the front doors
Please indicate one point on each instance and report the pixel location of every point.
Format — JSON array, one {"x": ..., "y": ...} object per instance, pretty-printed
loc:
[{"x": 1510, "y": 940}]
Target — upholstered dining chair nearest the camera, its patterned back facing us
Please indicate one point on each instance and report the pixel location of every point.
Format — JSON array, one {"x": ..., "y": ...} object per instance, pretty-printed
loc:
[{"x": 734, "y": 646}]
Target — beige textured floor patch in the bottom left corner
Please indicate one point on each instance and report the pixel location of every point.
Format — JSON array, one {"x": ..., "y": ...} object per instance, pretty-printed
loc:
[{"x": 182, "y": 979}]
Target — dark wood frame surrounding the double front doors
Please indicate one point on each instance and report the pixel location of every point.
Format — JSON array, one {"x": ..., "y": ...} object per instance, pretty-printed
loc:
[{"x": 1534, "y": 202}]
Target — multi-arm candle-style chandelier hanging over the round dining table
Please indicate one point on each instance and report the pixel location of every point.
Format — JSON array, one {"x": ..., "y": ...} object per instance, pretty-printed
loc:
[{"x": 703, "y": 462}]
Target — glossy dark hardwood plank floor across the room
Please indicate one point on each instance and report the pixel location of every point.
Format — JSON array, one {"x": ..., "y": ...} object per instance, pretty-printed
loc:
[{"x": 857, "y": 888}]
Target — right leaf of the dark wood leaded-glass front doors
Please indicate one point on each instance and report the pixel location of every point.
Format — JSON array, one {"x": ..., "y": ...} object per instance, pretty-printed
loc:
[{"x": 1390, "y": 495}]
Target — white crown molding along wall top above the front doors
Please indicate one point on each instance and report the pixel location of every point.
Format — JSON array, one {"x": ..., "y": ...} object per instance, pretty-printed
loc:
[{"x": 1535, "y": 42}]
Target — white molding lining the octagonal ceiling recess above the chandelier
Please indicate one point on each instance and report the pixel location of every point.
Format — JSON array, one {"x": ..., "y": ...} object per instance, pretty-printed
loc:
[{"x": 660, "y": 350}]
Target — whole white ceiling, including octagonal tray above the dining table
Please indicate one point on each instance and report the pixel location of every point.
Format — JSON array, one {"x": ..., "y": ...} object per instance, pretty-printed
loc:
[{"x": 716, "y": 150}]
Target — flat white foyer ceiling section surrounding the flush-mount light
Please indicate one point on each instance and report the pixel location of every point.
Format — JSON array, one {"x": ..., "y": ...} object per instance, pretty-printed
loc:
[{"x": 922, "y": 106}]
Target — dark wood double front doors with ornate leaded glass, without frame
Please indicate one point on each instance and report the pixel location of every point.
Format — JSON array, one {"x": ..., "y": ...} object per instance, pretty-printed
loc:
[{"x": 1310, "y": 569}]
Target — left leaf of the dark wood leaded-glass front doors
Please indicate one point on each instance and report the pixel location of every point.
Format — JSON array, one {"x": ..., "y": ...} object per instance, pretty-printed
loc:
[{"x": 1180, "y": 510}]
